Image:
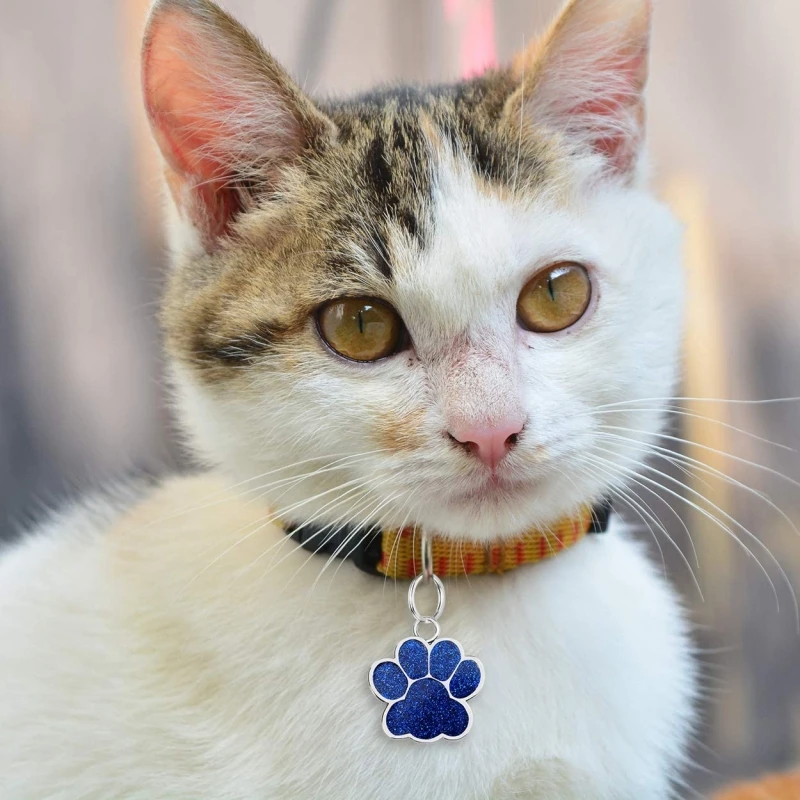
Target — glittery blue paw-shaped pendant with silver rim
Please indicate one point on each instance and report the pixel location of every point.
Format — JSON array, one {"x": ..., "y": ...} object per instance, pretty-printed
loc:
[{"x": 426, "y": 687}]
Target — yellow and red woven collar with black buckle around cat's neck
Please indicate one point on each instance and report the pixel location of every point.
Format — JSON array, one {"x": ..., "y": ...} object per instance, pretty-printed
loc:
[{"x": 395, "y": 553}]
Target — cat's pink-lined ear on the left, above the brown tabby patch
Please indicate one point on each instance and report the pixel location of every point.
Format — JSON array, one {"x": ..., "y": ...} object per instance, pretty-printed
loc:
[{"x": 226, "y": 116}]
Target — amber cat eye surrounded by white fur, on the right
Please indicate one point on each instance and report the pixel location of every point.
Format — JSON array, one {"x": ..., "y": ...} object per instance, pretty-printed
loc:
[{"x": 555, "y": 298}]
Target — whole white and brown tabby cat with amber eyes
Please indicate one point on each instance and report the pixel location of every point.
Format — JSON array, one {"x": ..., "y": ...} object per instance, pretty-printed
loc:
[{"x": 409, "y": 310}]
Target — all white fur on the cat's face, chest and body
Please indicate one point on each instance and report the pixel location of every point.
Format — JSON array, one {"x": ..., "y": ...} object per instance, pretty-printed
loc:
[{"x": 182, "y": 647}]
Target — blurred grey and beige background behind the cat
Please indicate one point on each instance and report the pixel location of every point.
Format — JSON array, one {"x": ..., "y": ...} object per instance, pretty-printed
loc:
[{"x": 82, "y": 261}]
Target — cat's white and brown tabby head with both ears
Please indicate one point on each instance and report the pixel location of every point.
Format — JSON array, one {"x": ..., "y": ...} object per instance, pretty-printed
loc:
[{"x": 422, "y": 306}]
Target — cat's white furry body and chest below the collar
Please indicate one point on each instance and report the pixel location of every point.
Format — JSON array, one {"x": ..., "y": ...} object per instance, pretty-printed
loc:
[{"x": 145, "y": 661}]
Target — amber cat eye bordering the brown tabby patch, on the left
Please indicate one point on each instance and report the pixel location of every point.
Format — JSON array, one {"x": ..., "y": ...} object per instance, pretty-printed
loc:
[{"x": 361, "y": 329}]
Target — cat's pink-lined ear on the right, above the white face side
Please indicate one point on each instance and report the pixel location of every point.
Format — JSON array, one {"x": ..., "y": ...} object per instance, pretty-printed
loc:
[{"x": 586, "y": 78}]
